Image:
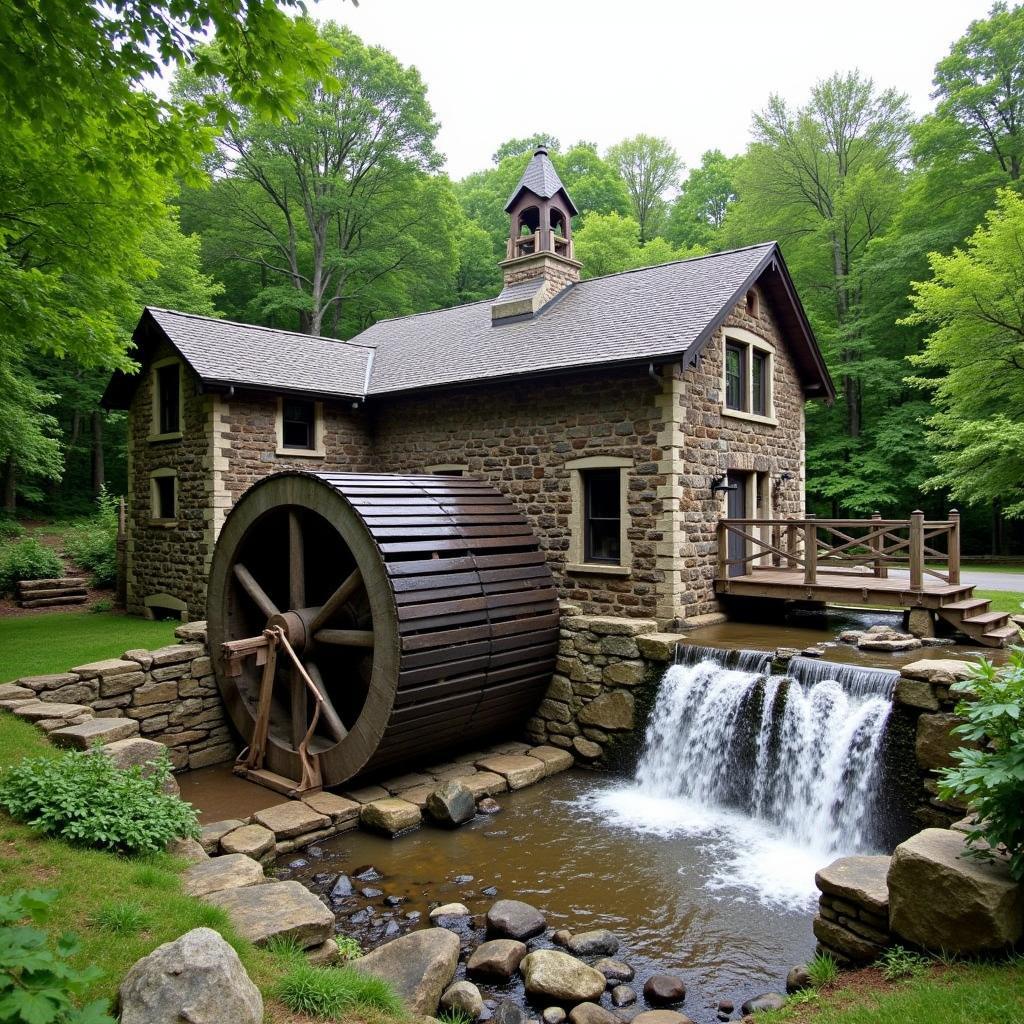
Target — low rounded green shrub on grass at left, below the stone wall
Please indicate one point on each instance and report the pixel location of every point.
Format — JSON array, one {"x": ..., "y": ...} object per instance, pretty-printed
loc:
[{"x": 83, "y": 798}]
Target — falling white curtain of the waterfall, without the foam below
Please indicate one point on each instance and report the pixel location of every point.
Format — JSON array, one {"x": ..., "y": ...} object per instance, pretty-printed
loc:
[{"x": 799, "y": 753}]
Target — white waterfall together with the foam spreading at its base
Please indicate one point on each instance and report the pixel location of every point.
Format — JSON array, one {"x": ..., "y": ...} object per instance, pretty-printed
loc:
[{"x": 776, "y": 775}]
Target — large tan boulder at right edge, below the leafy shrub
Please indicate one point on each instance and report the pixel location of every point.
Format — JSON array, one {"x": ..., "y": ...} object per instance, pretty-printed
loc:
[{"x": 943, "y": 900}]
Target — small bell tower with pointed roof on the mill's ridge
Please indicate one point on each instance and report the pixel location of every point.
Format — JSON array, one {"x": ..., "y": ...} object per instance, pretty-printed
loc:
[{"x": 539, "y": 261}]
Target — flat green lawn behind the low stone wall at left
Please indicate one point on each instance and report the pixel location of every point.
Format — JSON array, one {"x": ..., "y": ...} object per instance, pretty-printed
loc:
[{"x": 32, "y": 646}]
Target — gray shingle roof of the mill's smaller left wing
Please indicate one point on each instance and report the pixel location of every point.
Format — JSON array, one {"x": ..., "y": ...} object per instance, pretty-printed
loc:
[{"x": 225, "y": 353}]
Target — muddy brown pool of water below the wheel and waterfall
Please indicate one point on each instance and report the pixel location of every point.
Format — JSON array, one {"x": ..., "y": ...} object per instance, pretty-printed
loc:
[{"x": 544, "y": 848}]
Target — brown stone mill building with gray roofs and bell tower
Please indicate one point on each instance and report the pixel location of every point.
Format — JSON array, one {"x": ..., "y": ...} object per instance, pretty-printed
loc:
[{"x": 624, "y": 415}]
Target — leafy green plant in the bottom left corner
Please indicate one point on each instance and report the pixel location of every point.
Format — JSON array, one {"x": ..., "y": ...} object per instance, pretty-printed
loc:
[{"x": 38, "y": 986}]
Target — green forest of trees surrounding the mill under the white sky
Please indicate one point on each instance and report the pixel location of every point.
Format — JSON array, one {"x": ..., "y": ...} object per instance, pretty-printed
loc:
[{"x": 292, "y": 180}]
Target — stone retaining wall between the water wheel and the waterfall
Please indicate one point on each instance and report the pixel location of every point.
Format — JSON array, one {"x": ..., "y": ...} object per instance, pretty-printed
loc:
[{"x": 607, "y": 676}]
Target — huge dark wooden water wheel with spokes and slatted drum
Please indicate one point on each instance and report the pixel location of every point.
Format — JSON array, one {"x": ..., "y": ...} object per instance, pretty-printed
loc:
[{"x": 362, "y": 623}]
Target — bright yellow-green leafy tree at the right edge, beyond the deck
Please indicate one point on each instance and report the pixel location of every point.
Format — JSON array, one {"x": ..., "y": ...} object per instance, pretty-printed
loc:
[{"x": 973, "y": 361}]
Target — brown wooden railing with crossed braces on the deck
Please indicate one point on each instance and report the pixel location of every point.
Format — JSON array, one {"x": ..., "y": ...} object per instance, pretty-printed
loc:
[{"x": 844, "y": 547}]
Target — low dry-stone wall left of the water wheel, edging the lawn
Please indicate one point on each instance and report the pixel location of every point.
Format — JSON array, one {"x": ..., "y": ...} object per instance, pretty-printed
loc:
[{"x": 172, "y": 694}]
